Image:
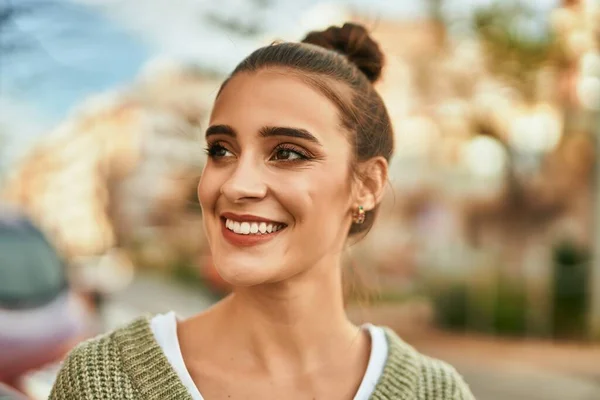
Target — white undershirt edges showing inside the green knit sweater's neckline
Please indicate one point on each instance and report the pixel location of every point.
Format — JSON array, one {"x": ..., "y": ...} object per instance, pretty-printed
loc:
[{"x": 164, "y": 328}]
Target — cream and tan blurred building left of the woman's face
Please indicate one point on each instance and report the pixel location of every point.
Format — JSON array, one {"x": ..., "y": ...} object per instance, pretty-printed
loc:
[{"x": 114, "y": 168}]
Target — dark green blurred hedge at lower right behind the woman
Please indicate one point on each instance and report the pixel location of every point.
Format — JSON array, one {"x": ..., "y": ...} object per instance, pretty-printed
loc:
[{"x": 502, "y": 307}]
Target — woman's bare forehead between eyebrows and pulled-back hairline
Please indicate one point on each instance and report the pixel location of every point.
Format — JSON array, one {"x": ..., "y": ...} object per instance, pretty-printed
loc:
[{"x": 251, "y": 100}]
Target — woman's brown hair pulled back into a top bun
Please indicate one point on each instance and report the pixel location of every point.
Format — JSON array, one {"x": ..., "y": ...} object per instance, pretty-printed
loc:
[{"x": 346, "y": 55}]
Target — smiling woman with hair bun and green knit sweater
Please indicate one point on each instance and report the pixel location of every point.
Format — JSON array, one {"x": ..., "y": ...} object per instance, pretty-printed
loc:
[{"x": 298, "y": 144}]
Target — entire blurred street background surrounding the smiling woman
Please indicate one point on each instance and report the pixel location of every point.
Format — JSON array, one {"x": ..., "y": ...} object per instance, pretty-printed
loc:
[{"x": 487, "y": 250}]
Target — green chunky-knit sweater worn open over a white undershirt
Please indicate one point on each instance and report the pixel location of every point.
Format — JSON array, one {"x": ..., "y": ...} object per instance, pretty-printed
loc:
[{"x": 129, "y": 364}]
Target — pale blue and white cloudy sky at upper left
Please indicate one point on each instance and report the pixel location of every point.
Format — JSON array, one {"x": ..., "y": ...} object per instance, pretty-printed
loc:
[{"x": 71, "y": 49}]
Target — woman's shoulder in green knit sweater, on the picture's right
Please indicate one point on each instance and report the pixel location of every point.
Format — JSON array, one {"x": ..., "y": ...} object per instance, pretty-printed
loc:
[{"x": 411, "y": 374}]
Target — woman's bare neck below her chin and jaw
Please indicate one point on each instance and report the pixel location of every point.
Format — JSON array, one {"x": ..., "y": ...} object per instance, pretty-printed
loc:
[{"x": 299, "y": 323}]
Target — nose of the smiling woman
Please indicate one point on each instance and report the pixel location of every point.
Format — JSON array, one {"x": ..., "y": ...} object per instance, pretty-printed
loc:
[{"x": 246, "y": 182}]
